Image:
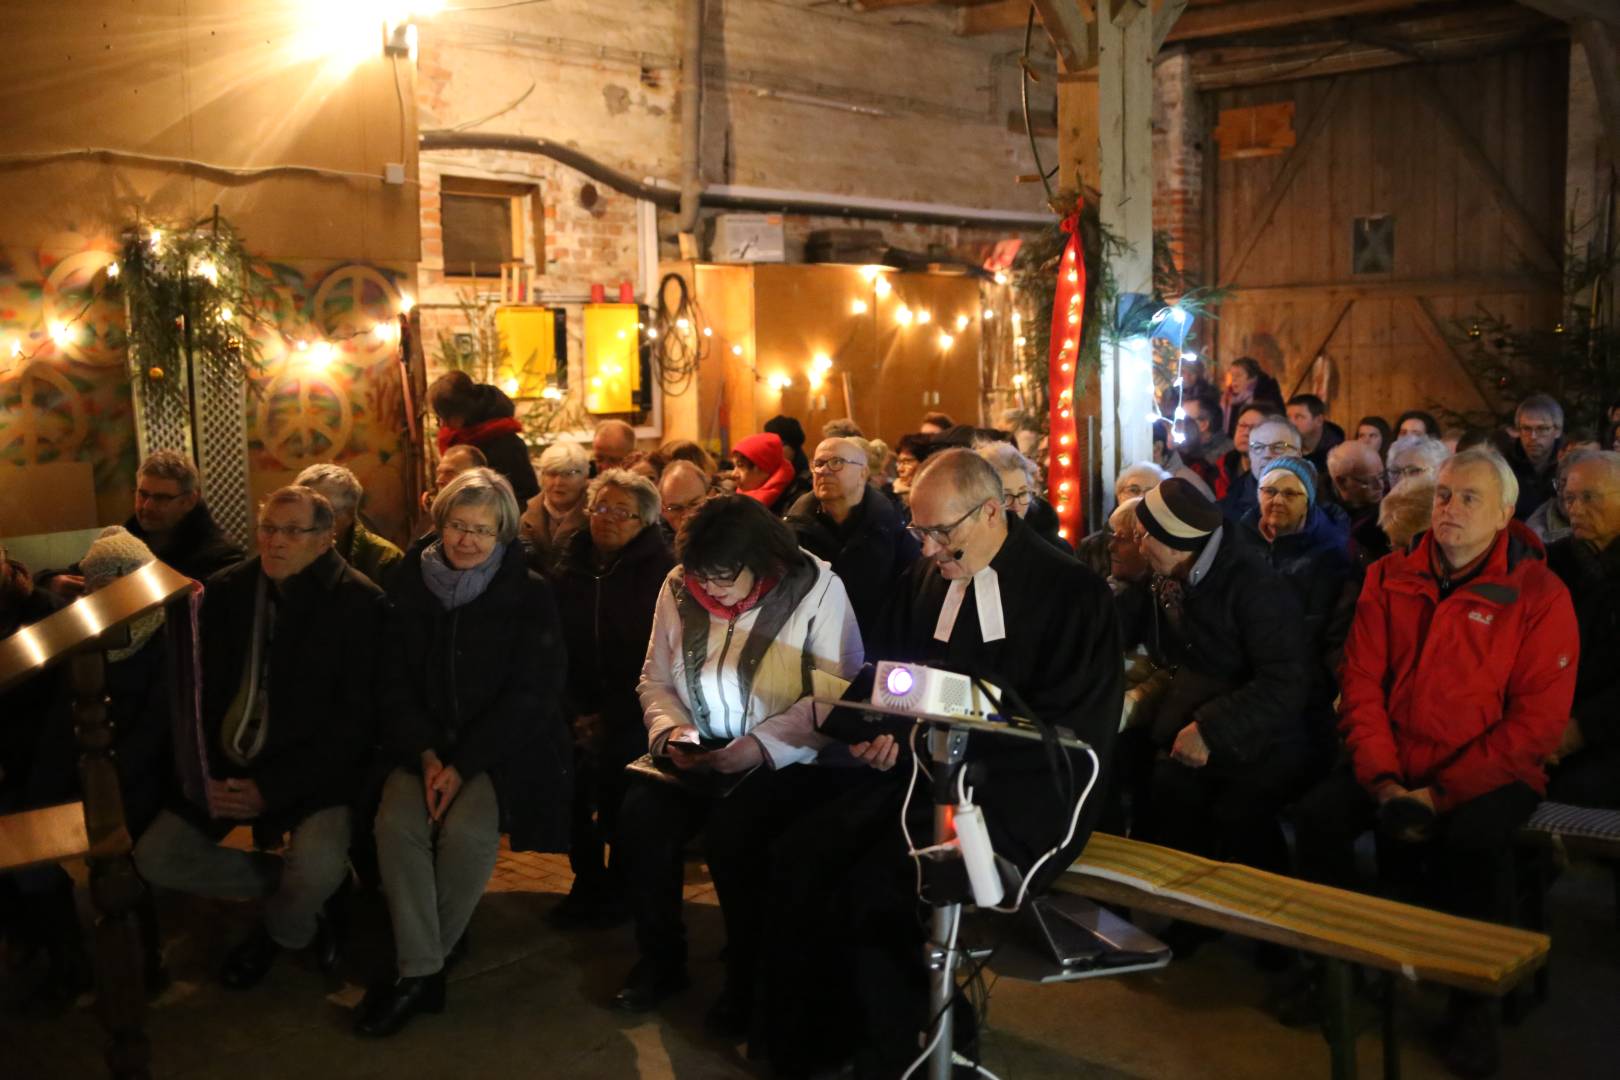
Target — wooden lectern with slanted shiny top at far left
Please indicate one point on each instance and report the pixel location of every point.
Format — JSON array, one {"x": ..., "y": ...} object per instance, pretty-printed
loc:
[{"x": 95, "y": 830}]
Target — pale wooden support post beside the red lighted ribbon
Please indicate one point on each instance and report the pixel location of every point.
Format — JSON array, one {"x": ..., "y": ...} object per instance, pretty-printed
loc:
[{"x": 1125, "y": 104}]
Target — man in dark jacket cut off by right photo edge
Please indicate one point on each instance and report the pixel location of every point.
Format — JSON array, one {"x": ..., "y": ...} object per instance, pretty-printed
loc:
[{"x": 1587, "y": 765}]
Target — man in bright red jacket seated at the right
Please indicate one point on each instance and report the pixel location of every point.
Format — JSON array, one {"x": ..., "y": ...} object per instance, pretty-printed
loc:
[{"x": 1457, "y": 686}]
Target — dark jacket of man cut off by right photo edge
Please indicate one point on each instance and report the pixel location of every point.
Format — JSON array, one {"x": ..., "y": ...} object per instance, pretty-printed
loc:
[{"x": 1593, "y": 579}]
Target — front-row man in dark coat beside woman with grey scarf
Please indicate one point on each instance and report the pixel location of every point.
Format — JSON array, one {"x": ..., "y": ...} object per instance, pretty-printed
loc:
[{"x": 289, "y": 668}]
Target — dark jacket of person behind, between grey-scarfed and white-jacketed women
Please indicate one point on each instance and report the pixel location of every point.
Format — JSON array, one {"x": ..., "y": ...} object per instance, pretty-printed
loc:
[{"x": 607, "y": 623}]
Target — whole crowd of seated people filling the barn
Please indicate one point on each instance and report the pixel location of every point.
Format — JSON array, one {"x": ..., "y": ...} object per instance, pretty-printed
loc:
[{"x": 615, "y": 652}]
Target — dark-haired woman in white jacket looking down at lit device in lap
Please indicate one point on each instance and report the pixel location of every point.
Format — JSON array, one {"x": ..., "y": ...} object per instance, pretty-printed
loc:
[{"x": 744, "y": 626}]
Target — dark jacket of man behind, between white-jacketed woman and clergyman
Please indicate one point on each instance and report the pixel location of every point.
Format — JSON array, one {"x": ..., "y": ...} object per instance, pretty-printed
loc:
[{"x": 869, "y": 551}]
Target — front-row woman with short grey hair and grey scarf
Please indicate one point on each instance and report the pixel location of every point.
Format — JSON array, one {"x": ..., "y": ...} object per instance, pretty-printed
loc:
[{"x": 472, "y": 673}]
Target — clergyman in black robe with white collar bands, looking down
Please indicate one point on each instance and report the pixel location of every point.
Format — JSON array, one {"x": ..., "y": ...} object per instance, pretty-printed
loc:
[{"x": 989, "y": 598}]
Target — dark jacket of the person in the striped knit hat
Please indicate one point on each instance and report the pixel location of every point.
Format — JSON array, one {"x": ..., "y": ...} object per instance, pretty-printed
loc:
[{"x": 1242, "y": 661}]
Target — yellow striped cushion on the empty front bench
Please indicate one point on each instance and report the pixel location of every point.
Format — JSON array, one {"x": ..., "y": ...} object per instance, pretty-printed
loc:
[{"x": 1368, "y": 930}]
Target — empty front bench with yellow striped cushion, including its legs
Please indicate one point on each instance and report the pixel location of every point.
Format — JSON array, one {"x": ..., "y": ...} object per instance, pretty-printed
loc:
[{"x": 1344, "y": 929}]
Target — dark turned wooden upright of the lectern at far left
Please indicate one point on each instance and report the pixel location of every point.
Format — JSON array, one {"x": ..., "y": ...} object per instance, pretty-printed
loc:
[{"x": 116, "y": 888}]
